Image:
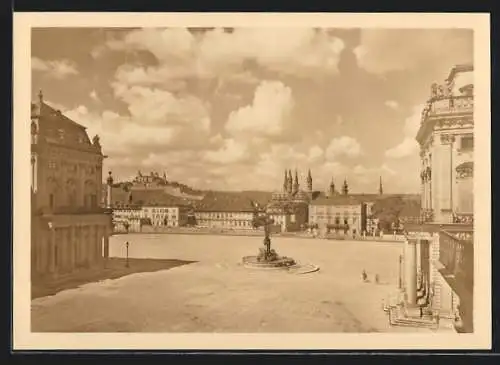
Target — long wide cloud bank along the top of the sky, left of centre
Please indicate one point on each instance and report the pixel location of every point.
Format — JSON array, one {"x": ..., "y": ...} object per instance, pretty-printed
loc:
[{"x": 215, "y": 53}]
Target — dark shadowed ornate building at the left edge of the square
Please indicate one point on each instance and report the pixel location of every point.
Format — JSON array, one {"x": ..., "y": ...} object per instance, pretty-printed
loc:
[{"x": 68, "y": 226}]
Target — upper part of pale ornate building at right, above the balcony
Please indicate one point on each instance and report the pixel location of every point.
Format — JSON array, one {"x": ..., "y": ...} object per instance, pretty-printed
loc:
[{"x": 446, "y": 141}]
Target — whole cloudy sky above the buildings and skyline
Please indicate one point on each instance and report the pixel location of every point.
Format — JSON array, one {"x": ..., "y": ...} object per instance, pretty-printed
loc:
[{"x": 232, "y": 108}]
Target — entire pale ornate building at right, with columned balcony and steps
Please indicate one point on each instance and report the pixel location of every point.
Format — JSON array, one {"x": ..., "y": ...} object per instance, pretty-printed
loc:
[{"x": 439, "y": 252}]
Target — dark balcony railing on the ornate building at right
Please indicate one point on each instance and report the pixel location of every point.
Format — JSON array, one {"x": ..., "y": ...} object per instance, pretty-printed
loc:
[{"x": 456, "y": 253}]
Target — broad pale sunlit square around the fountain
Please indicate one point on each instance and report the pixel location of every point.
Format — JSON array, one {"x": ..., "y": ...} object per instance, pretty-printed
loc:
[{"x": 217, "y": 294}]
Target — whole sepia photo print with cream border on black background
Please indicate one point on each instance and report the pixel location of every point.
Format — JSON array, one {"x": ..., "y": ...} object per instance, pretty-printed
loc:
[{"x": 265, "y": 179}]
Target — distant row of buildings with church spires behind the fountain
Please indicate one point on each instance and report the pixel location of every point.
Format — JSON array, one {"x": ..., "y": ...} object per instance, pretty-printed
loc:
[{"x": 292, "y": 209}]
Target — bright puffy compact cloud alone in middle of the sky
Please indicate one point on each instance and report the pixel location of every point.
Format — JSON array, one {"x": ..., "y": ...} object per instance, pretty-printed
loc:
[{"x": 268, "y": 113}]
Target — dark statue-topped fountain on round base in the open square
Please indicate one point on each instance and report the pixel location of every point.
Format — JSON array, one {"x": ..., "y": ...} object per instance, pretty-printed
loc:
[{"x": 268, "y": 258}]
